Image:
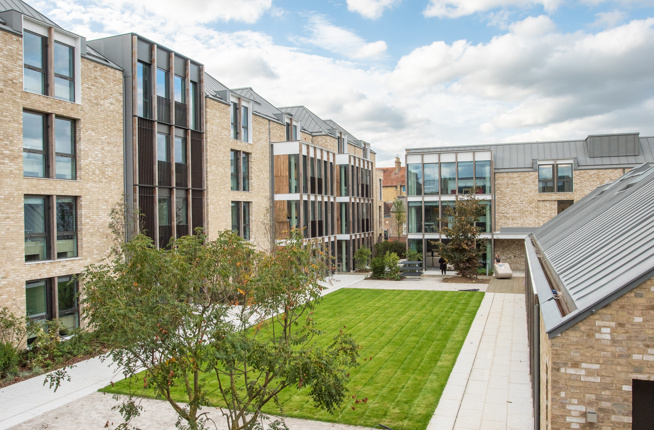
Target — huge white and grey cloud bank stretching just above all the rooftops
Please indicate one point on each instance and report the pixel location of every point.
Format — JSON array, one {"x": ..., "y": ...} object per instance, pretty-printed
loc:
[{"x": 533, "y": 82}]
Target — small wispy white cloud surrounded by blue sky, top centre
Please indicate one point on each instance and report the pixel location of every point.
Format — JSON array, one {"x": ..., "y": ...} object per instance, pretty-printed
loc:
[{"x": 341, "y": 41}]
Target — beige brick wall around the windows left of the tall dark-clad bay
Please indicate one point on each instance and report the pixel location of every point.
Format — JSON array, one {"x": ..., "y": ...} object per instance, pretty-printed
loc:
[{"x": 99, "y": 160}]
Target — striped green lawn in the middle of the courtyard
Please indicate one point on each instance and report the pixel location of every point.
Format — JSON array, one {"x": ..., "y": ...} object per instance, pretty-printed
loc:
[{"x": 413, "y": 338}]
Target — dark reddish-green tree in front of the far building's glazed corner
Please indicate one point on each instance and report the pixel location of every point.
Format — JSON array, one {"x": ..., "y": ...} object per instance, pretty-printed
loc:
[{"x": 463, "y": 250}]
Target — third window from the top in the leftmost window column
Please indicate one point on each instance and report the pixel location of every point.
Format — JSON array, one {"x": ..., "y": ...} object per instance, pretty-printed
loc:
[{"x": 38, "y": 236}]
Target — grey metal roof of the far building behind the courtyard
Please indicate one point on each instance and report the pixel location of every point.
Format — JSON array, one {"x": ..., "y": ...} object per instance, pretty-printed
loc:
[{"x": 521, "y": 156}]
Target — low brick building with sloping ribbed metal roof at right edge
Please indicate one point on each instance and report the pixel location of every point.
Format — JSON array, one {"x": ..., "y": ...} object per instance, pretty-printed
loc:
[{"x": 590, "y": 295}]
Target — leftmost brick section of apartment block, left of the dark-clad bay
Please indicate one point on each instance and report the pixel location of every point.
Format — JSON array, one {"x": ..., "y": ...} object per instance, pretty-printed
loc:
[{"x": 62, "y": 163}]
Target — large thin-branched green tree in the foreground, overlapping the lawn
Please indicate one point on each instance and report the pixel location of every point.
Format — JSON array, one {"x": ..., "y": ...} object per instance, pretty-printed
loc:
[{"x": 223, "y": 308}]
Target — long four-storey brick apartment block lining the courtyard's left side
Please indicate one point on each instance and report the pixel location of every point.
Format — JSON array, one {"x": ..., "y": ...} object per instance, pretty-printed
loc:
[{"x": 88, "y": 125}]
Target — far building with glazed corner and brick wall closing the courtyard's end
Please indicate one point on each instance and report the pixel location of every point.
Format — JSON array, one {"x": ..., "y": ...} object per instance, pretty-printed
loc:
[{"x": 522, "y": 185}]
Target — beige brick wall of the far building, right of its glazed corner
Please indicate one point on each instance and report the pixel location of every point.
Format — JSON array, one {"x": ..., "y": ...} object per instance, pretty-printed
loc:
[{"x": 519, "y": 204}]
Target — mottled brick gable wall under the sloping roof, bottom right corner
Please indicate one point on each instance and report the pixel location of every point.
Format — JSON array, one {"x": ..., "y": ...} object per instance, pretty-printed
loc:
[{"x": 590, "y": 366}]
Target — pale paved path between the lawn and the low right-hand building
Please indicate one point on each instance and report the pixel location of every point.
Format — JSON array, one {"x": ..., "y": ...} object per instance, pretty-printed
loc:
[{"x": 489, "y": 386}]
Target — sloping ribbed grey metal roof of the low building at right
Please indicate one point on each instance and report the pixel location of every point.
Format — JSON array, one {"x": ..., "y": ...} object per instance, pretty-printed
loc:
[{"x": 602, "y": 246}]
